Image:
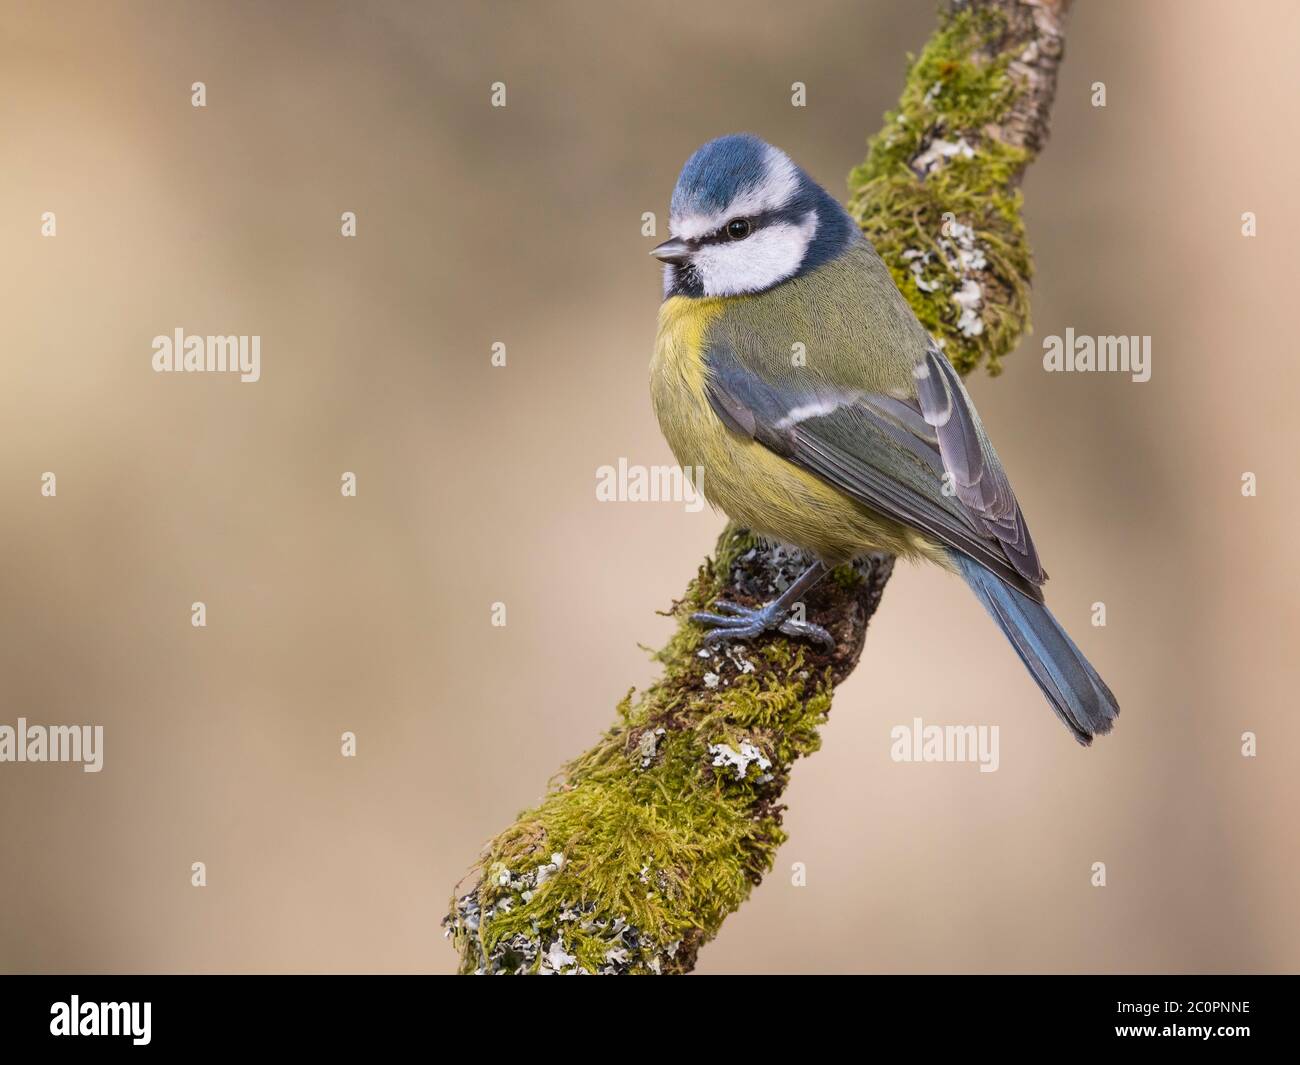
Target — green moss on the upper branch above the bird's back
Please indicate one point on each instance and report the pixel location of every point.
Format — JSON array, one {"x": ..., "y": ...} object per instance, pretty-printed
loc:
[{"x": 956, "y": 89}]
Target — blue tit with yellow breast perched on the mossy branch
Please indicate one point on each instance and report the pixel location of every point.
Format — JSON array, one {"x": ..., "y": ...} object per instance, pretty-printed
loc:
[{"x": 791, "y": 369}]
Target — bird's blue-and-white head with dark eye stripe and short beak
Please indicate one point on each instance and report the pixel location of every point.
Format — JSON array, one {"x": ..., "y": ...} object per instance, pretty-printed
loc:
[{"x": 744, "y": 218}]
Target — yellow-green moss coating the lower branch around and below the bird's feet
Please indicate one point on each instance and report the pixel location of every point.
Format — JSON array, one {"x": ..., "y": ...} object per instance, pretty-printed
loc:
[{"x": 658, "y": 842}]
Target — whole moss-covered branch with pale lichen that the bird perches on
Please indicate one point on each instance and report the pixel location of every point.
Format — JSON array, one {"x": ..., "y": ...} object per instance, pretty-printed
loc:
[{"x": 644, "y": 845}]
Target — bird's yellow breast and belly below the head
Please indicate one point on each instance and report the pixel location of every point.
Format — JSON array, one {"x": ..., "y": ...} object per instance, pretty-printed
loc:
[{"x": 746, "y": 480}]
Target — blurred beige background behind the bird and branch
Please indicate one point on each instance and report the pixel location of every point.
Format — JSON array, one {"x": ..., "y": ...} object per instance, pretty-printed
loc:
[{"x": 523, "y": 226}]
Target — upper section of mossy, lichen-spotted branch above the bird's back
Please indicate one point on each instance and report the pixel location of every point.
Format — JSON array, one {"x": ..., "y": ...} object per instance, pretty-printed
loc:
[{"x": 939, "y": 192}]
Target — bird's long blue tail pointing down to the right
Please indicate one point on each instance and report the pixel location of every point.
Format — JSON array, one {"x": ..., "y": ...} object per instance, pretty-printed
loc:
[{"x": 1081, "y": 699}]
